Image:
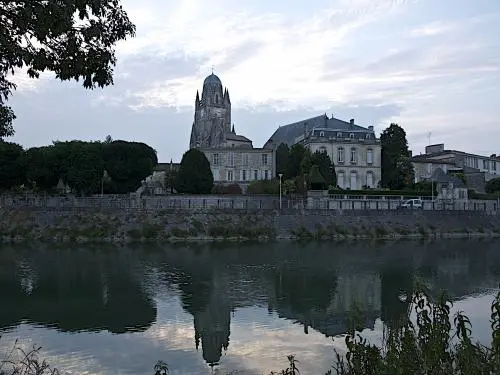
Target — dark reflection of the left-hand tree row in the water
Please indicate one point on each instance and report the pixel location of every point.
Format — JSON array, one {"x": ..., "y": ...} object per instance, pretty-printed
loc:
[{"x": 73, "y": 292}]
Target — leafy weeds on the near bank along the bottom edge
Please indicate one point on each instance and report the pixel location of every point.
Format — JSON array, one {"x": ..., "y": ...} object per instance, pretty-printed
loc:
[{"x": 431, "y": 344}]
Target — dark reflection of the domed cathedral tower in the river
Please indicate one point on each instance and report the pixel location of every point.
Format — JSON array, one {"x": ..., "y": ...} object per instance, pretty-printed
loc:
[{"x": 212, "y": 326}]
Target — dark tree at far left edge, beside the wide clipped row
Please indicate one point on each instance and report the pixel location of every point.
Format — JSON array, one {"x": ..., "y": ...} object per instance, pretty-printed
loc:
[{"x": 12, "y": 168}]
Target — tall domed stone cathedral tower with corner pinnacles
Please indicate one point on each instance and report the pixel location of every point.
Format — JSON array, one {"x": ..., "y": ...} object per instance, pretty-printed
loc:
[{"x": 212, "y": 115}]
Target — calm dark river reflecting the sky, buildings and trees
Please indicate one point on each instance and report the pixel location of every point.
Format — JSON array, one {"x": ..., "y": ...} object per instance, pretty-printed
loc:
[{"x": 107, "y": 310}]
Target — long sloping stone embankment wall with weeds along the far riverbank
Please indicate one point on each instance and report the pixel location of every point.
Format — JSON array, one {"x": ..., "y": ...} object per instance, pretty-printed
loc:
[{"x": 129, "y": 225}]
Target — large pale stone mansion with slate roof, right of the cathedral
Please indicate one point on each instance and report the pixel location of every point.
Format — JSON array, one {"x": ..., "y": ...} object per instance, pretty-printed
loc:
[{"x": 354, "y": 150}]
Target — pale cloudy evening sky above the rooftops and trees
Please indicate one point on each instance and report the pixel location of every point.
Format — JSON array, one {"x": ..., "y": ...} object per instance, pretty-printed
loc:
[{"x": 431, "y": 66}]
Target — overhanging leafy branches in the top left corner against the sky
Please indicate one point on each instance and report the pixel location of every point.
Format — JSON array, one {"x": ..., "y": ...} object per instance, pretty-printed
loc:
[{"x": 75, "y": 39}]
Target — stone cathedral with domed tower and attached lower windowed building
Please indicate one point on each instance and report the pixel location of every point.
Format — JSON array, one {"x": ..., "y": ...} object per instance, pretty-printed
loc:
[{"x": 232, "y": 157}]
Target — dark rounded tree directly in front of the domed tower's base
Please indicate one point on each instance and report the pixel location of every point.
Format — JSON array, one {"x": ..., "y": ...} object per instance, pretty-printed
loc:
[{"x": 194, "y": 175}]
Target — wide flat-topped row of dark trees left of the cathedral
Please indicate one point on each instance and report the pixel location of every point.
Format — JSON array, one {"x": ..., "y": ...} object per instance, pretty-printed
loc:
[{"x": 81, "y": 165}]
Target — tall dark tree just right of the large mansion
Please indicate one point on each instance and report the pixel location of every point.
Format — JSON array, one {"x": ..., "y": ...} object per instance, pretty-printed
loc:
[{"x": 397, "y": 170}]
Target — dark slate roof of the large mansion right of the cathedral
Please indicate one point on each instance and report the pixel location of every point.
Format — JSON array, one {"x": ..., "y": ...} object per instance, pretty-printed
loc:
[{"x": 288, "y": 133}]
